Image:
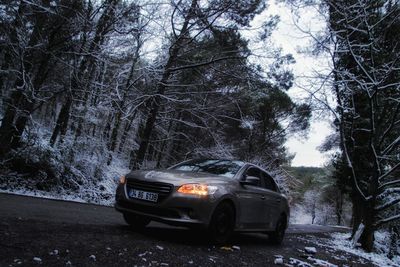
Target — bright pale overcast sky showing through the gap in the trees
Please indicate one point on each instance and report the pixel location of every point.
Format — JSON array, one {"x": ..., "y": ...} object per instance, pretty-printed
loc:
[{"x": 292, "y": 39}]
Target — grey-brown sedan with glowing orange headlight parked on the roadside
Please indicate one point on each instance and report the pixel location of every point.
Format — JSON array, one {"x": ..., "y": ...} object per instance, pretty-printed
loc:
[{"x": 219, "y": 195}]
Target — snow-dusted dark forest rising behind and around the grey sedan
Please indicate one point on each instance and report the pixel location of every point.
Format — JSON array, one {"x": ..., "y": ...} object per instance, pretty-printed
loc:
[{"x": 90, "y": 89}]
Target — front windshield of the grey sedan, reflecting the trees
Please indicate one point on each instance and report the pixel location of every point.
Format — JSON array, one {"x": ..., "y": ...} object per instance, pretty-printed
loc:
[{"x": 226, "y": 168}]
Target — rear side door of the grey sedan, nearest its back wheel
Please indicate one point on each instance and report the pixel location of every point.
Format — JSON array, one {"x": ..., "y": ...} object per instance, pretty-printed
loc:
[{"x": 273, "y": 200}]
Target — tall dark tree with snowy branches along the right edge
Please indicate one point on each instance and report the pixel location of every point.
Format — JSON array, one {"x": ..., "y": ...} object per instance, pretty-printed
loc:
[{"x": 362, "y": 42}]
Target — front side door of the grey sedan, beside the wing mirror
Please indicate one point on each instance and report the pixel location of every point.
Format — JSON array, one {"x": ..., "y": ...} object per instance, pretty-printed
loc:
[{"x": 252, "y": 201}]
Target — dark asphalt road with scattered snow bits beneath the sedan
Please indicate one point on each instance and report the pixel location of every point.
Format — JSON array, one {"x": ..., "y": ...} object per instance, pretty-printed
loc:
[{"x": 36, "y": 231}]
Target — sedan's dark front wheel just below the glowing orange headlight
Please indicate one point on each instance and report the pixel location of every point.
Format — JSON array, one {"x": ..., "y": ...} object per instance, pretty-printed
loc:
[{"x": 222, "y": 223}]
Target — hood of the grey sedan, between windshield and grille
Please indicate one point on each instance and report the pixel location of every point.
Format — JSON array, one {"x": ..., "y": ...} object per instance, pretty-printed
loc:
[{"x": 177, "y": 178}]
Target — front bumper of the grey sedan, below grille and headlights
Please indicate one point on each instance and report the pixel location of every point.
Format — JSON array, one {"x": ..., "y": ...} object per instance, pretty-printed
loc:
[{"x": 176, "y": 209}]
